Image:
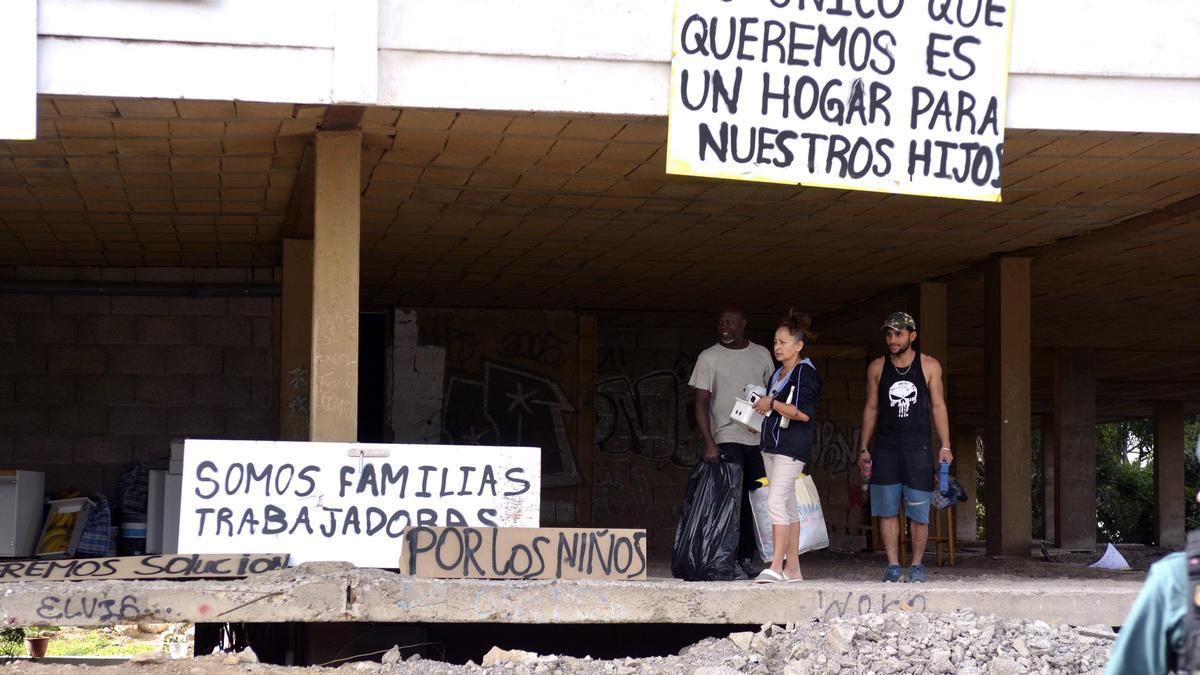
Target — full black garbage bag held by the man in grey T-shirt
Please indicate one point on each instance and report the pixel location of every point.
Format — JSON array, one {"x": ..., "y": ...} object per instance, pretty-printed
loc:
[{"x": 706, "y": 545}]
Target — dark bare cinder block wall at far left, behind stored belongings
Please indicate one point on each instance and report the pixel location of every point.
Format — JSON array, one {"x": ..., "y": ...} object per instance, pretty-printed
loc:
[{"x": 92, "y": 383}]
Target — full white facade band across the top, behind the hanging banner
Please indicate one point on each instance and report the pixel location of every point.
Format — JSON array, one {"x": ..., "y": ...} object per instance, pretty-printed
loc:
[{"x": 1076, "y": 64}]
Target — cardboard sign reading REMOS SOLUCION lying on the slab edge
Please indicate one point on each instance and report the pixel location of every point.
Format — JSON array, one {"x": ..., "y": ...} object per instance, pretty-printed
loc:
[{"x": 142, "y": 568}]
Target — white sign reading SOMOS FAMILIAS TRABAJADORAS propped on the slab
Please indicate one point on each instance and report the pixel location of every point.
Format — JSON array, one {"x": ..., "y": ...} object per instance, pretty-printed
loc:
[{"x": 347, "y": 501}]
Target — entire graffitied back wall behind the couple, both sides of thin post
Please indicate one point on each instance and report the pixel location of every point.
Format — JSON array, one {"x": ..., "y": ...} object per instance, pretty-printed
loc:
[{"x": 634, "y": 467}]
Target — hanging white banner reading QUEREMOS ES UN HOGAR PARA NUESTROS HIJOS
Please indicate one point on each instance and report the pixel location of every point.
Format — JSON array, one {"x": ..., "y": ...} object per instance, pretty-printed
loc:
[{"x": 902, "y": 97}]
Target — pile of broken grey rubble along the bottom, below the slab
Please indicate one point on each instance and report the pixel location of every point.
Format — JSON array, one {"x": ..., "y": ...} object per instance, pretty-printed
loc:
[{"x": 897, "y": 642}]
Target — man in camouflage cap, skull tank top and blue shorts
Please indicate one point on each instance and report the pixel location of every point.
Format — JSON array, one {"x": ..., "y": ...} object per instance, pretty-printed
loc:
[{"x": 909, "y": 386}]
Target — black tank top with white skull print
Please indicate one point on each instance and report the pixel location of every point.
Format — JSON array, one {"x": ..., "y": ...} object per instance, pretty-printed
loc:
[{"x": 903, "y": 422}]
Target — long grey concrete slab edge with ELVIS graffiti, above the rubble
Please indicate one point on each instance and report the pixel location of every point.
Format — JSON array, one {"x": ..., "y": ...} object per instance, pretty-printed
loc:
[{"x": 331, "y": 594}]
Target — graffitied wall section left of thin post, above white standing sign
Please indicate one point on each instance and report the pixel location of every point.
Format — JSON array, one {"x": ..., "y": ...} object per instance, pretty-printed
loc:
[{"x": 463, "y": 379}]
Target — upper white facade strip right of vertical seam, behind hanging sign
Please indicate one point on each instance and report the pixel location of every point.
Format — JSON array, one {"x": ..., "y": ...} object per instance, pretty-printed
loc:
[{"x": 1100, "y": 38}]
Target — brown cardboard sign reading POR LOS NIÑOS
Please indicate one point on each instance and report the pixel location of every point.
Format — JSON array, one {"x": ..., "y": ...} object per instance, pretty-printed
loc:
[{"x": 524, "y": 553}]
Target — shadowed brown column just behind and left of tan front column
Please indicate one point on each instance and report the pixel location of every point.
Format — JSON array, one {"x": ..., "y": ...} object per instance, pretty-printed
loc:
[{"x": 296, "y": 341}]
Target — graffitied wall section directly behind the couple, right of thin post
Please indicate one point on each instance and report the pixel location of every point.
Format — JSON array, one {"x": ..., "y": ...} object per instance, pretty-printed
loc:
[{"x": 647, "y": 441}]
